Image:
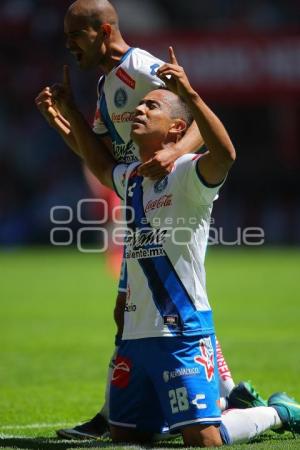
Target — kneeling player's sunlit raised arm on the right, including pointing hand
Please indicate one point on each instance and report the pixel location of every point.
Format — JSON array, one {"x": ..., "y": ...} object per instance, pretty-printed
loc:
[{"x": 215, "y": 164}]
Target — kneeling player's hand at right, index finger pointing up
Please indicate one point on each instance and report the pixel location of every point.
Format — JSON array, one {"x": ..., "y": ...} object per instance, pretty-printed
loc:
[{"x": 174, "y": 76}]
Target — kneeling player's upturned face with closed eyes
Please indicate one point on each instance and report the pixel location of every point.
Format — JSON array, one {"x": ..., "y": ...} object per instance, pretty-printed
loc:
[{"x": 152, "y": 118}]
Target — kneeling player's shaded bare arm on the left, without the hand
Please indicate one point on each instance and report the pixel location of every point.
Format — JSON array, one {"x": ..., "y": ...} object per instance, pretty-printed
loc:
[{"x": 98, "y": 159}]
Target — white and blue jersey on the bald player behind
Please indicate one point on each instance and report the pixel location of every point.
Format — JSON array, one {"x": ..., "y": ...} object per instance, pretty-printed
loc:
[{"x": 119, "y": 93}]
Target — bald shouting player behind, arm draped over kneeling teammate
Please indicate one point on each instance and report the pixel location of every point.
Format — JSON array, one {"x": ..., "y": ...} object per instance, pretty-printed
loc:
[{"x": 94, "y": 38}]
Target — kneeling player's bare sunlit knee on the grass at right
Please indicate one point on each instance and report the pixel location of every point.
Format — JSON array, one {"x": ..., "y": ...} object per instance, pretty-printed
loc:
[{"x": 201, "y": 436}]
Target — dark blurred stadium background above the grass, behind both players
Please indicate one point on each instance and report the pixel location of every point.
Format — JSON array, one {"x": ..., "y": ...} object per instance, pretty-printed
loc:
[{"x": 244, "y": 59}]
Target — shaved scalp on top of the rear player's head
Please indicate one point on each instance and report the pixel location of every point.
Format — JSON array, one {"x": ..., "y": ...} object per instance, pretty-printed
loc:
[{"x": 95, "y": 12}]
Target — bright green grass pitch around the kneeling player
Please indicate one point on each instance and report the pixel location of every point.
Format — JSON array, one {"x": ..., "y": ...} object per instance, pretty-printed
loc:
[{"x": 57, "y": 334}]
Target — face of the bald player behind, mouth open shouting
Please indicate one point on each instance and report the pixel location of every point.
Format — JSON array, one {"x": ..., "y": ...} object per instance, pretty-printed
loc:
[{"x": 85, "y": 43}]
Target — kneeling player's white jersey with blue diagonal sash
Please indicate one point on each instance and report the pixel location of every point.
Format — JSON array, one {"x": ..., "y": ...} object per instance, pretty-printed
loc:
[{"x": 166, "y": 238}]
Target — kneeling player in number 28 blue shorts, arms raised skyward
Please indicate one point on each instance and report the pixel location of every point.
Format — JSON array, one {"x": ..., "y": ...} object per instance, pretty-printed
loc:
[{"x": 166, "y": 368}]
